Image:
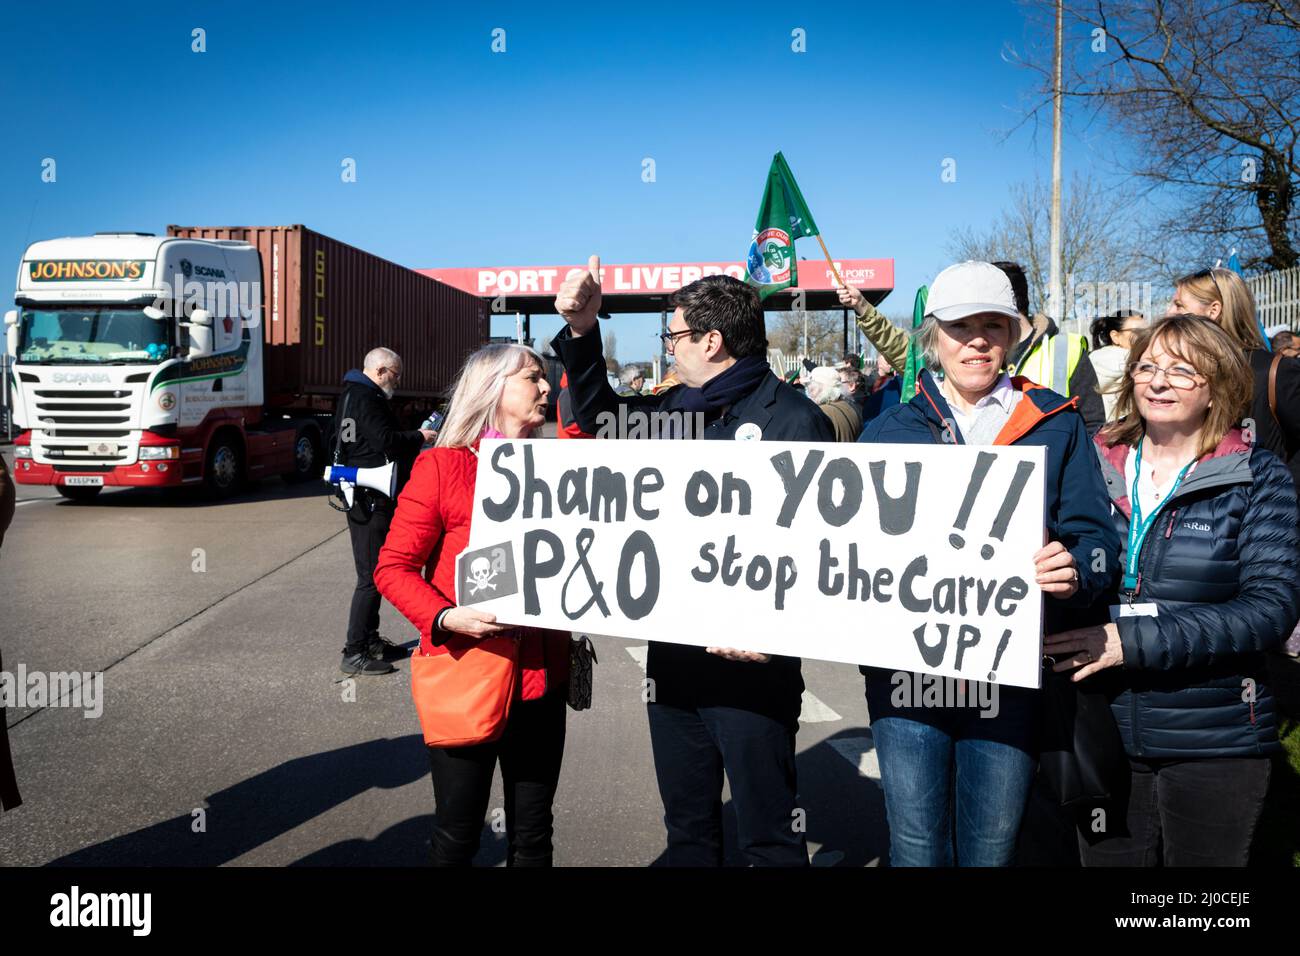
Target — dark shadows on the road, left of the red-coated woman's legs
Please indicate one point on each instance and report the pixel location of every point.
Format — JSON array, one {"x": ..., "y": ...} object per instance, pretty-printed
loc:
[{"x": 274, "y": 803}]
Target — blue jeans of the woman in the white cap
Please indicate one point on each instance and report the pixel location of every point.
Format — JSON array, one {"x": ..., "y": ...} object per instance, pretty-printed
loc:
[{"x": 939, "y": 764}]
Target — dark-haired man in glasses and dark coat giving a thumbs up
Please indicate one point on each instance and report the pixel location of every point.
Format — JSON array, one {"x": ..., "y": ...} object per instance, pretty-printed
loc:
[{"x": 717, "y": 710}]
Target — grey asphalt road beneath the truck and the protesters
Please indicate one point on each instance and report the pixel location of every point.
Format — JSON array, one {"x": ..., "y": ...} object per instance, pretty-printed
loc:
[{"x": 227, "y": 737}]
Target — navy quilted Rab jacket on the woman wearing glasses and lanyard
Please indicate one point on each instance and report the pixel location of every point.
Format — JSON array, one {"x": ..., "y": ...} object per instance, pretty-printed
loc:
[{"x": 1221, "y": 566}]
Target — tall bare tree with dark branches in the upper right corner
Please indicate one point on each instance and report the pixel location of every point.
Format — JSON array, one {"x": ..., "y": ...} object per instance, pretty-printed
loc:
[{"x": 1208, "y": 94}]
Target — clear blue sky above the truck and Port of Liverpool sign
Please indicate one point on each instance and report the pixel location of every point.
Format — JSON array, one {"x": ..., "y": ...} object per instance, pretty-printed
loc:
[{"x": 535, "y": 155}]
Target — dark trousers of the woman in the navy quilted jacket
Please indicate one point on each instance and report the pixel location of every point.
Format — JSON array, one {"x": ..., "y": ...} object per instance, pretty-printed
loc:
[{"x": 1186, "y": 814}]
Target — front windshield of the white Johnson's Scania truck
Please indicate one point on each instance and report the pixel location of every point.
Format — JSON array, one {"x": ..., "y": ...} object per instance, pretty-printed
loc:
[{"x": 92, "y": 335}]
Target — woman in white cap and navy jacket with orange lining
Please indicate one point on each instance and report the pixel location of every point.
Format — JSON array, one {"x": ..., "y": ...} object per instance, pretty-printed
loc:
[{"x": 956, "y": 778}]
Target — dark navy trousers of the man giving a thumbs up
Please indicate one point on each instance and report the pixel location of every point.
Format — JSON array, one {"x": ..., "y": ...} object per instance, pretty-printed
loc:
[{"x": 692, "y": 750}]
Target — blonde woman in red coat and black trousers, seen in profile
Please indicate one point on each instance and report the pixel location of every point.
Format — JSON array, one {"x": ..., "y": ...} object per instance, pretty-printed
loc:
[{"x": 501, "y": 393}]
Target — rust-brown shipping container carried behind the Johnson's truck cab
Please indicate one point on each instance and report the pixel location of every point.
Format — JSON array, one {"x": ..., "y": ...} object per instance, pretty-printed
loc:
[{"x": 327, "y": 304}]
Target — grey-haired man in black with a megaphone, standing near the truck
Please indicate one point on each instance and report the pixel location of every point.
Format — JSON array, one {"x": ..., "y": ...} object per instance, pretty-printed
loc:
[{"x": 369, "y": 436}]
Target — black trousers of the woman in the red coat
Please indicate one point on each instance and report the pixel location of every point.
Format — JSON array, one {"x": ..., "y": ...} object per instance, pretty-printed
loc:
[{"x": 531, "y": 752}]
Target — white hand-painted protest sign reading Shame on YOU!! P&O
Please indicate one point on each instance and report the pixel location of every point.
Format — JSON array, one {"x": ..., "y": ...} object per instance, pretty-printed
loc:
[{"x": 909, "y": 557}]
